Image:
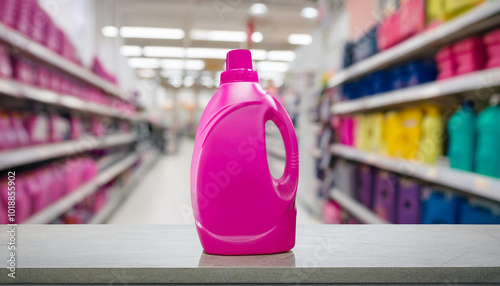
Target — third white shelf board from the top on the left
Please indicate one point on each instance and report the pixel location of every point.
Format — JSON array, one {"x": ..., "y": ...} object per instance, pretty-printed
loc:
[{"x": 26, "y": 155}]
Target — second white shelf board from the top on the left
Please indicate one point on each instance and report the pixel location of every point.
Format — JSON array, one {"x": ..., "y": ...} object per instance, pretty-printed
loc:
[{"x": 20, "y": 90}]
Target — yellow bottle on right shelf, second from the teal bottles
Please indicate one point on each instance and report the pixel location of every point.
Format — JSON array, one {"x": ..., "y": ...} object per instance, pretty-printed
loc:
[{"x": 411, "y": 119}]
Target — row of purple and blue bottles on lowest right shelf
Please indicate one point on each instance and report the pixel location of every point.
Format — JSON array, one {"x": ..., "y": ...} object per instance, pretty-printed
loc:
[{"x": 405, "y": 201}]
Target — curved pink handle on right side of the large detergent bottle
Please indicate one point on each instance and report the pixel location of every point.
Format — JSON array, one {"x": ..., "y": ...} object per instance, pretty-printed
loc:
[{"x": 287, "y": 183}]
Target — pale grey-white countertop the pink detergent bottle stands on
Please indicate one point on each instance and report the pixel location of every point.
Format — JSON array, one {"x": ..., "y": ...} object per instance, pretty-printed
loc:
[{"x": 323, "y": 254}]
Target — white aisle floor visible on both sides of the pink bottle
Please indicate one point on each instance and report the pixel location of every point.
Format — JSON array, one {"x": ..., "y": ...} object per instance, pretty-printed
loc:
[{"x": 163, "y": 196}]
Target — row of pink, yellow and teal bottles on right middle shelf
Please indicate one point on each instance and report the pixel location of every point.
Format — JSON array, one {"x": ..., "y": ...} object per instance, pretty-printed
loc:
[{"x": 473, "y": 142}]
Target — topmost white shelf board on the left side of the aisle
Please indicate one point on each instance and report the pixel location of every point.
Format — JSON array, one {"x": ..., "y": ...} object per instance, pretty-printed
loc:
[{"x": 34, "y": 49}]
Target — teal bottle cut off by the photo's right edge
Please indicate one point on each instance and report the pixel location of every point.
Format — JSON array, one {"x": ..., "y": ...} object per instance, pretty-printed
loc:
[{"x": 488, "y": 139}]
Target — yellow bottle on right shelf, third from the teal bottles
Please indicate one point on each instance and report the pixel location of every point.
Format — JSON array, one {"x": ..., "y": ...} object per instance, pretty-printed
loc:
[{"x": 392, "y": 133}]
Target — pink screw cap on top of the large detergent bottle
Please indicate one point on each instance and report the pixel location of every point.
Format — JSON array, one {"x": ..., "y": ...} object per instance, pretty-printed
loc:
[{"x": 239, "y": 68}]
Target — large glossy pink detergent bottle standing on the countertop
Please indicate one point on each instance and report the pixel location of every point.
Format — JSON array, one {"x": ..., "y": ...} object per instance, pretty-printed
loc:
[{"x": 239, "y": 208}]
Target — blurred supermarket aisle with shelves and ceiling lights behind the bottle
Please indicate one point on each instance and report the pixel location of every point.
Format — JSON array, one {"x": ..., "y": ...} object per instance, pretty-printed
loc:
[{"x": 394, "y": 104}]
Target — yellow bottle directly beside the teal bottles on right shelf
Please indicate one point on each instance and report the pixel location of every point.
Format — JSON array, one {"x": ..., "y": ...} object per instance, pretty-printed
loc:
[{"x": 431, "y": 143}]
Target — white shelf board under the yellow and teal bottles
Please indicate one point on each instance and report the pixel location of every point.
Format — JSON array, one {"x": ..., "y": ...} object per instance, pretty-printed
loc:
[{"x": 467, "y": 182}]
